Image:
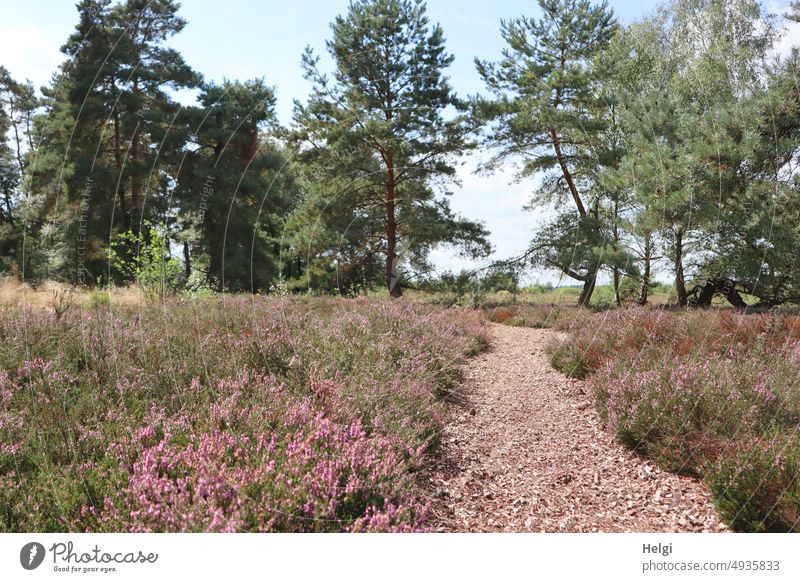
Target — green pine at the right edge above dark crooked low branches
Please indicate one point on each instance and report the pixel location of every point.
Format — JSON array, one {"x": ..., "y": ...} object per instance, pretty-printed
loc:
[{"x": 754, "y": 248}]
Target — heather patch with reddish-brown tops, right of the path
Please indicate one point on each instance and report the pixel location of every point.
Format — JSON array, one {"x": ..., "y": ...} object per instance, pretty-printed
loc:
[{"x": 701, "y": 392}]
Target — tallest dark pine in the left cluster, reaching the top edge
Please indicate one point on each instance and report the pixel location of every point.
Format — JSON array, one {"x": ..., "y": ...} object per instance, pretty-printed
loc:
[{"x": 107, "y": 118}]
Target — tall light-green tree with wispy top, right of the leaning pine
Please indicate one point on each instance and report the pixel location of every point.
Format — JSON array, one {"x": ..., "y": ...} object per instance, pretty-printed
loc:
[{"x": 693, "y": 67}]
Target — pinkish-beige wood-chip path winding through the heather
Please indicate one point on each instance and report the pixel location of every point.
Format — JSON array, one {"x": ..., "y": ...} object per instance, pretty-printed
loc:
[{"x": 524, "y": 450}]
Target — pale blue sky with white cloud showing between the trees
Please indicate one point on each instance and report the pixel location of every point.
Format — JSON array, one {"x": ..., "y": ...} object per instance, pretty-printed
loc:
[{"x": 243, "y": 39}]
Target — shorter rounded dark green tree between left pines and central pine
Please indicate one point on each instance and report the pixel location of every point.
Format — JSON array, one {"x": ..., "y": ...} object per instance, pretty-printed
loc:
[{"x": 234, "y": 187}]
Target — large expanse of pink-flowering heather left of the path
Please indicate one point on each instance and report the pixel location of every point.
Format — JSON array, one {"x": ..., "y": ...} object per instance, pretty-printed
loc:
[{"x": 224, "y": 414}]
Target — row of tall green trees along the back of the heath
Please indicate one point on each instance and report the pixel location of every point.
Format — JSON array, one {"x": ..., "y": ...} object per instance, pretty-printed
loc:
[{"x": 666, "y": 145}]
